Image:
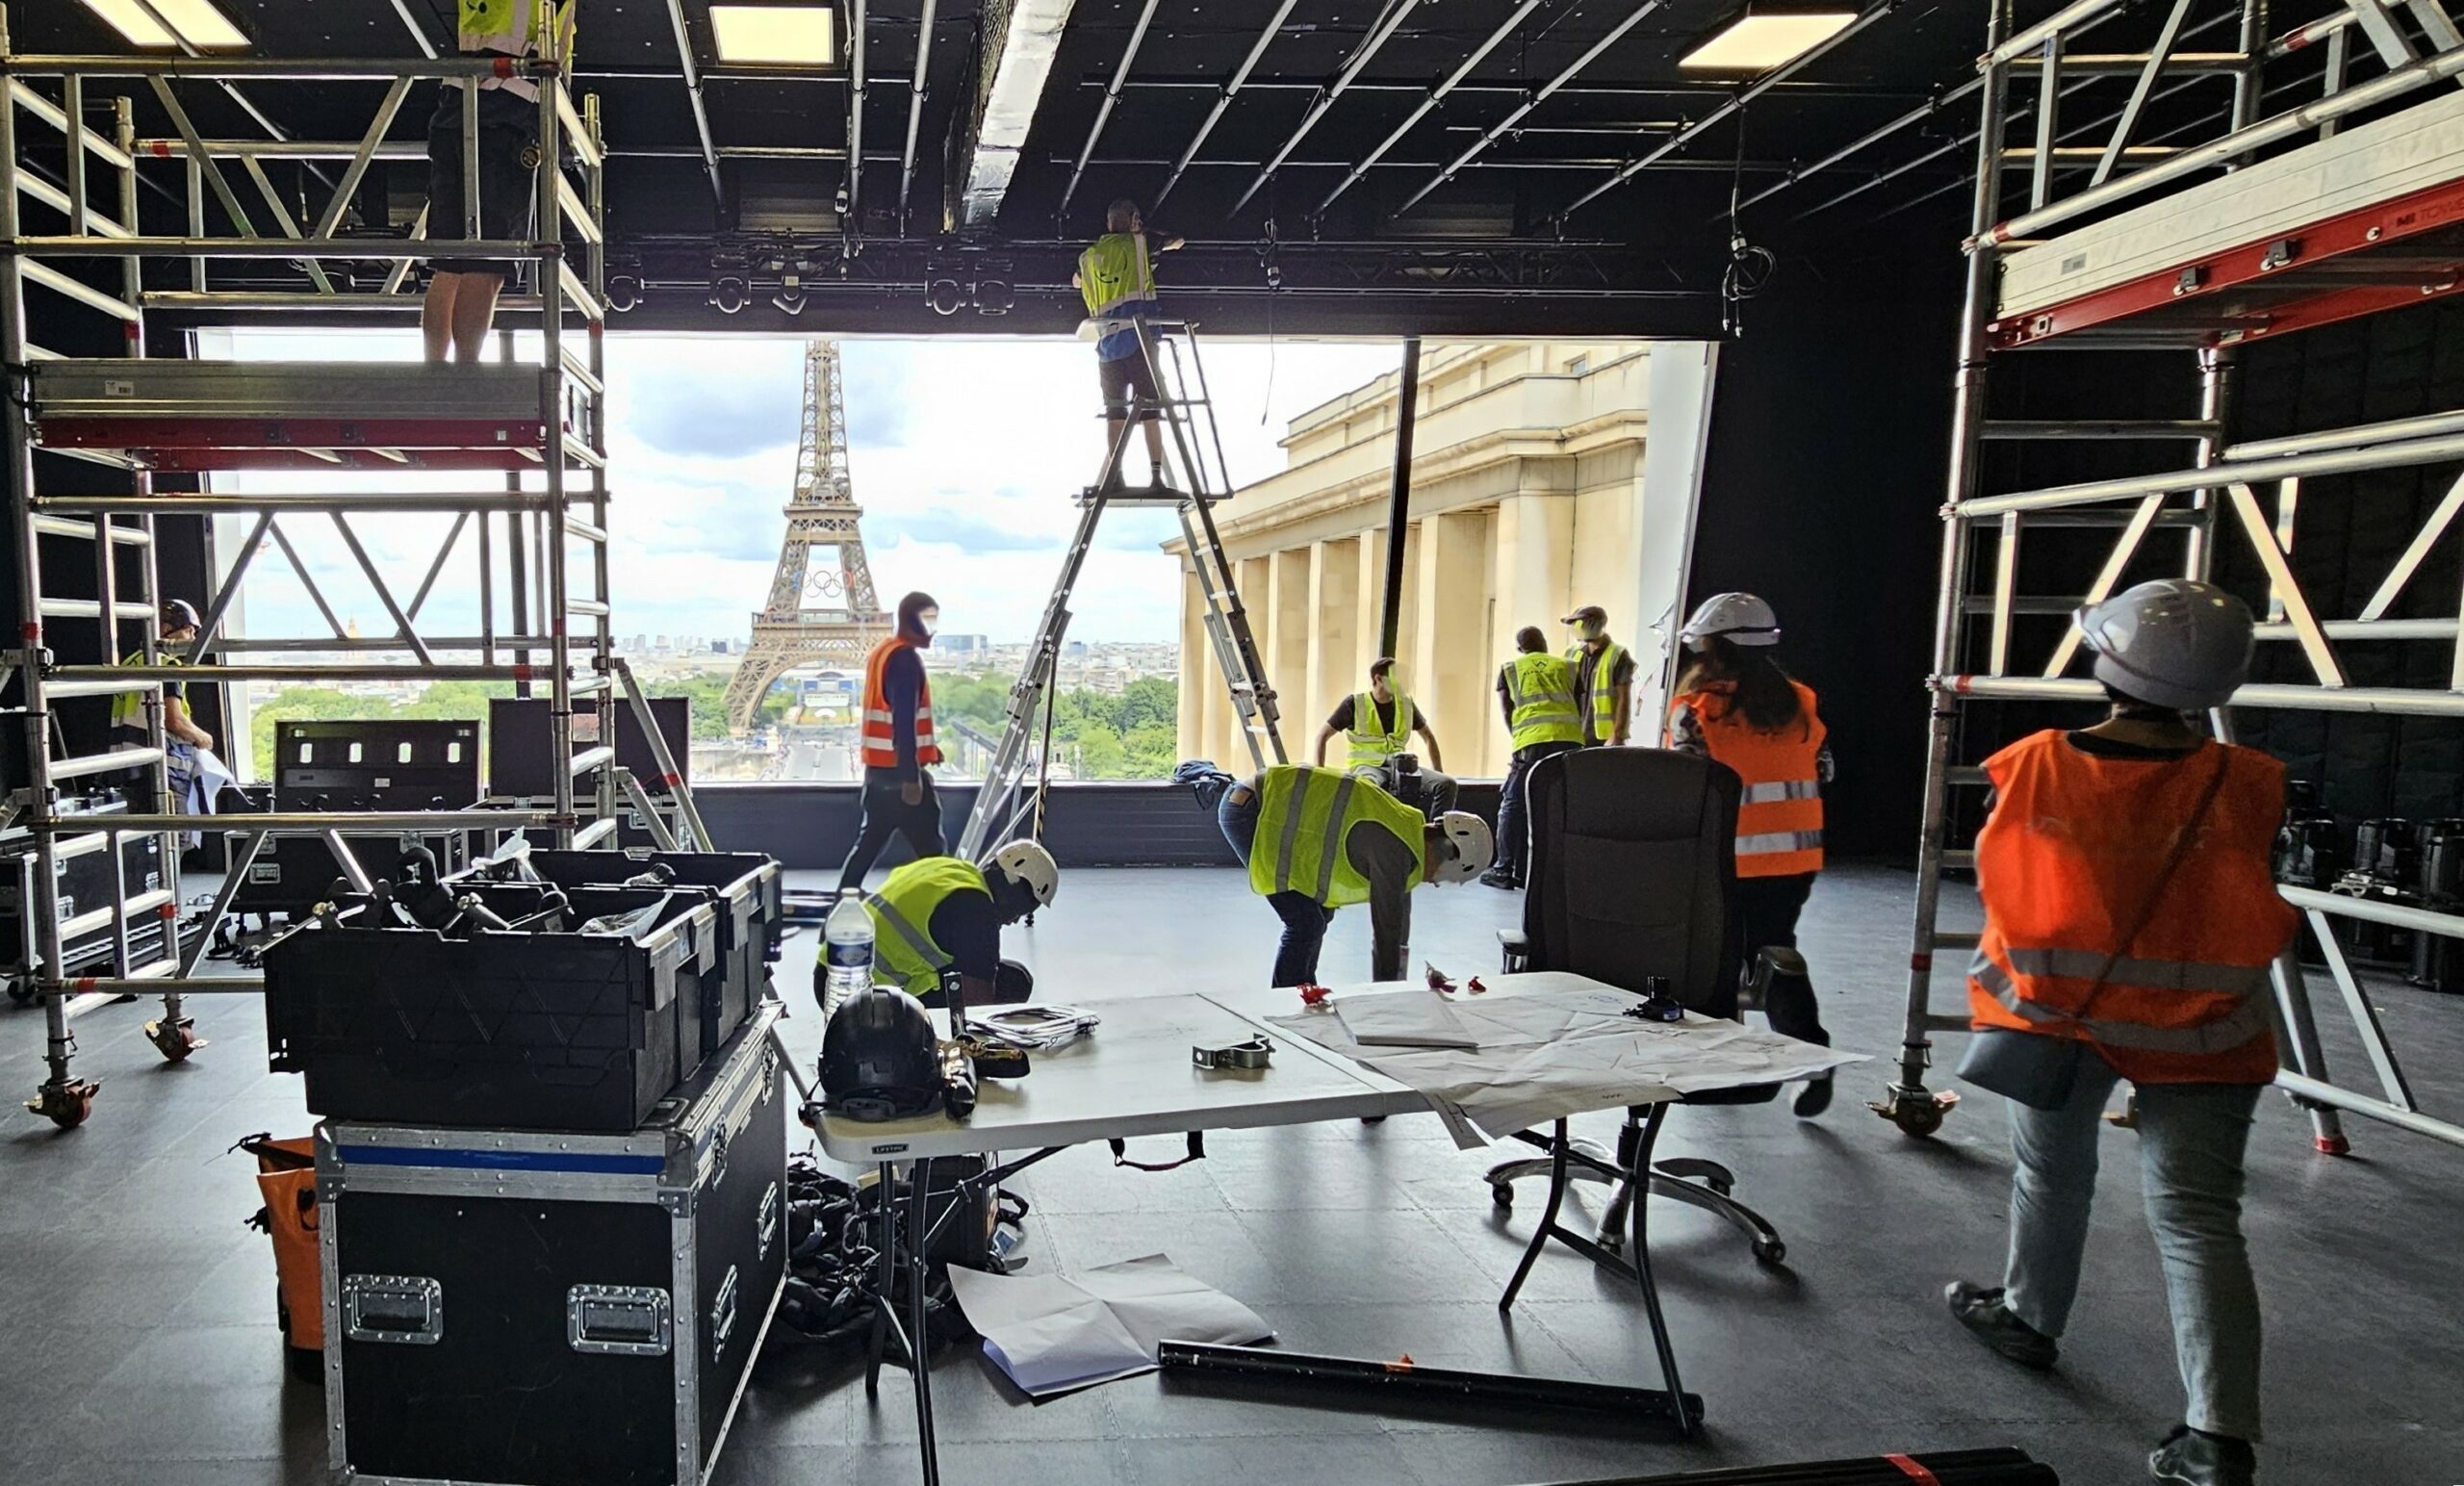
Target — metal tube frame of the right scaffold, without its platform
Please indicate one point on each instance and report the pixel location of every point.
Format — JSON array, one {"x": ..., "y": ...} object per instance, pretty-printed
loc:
[{"x": 2211, "y": 499}]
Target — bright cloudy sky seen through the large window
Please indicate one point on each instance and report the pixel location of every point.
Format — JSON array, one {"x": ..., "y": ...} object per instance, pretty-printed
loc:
[{"x": 965, "y": 457}]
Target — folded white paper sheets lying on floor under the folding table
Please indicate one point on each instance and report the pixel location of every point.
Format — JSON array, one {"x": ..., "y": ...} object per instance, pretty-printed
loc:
[{"x": 1053, "y": 1334}]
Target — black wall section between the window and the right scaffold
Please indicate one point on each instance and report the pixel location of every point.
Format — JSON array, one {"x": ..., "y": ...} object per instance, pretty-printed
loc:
[{"x": 1827, "y": 460}]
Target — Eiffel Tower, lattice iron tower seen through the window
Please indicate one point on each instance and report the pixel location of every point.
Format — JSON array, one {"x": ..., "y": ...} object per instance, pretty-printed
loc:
[{"x": 822, "y": 607}]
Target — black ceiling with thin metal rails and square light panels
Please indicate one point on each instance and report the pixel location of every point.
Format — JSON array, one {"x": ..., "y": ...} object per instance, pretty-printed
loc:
[{"x": 1494, "y": 238}]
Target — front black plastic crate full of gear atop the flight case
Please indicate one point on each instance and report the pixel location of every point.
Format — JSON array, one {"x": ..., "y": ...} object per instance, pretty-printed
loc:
[{"x": 553, "y": 1031}]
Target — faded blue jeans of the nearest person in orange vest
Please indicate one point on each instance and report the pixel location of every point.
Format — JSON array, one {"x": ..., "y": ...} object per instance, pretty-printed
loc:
[{"x": 2192, "y": 1145}]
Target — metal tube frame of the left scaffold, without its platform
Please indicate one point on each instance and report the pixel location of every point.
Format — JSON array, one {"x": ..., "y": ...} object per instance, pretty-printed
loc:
[{"x": 568, "y": 504}]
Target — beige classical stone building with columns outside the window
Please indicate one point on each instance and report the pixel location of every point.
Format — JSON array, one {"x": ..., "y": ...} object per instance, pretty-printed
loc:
[{"x": 1526, "y": 501}]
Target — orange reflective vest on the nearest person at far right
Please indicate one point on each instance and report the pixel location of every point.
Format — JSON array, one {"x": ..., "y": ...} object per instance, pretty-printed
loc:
[{"x": 2066, "y": 866}]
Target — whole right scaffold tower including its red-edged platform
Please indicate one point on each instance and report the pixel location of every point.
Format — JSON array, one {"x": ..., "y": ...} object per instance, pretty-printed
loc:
[{"x": 2327, "y": 230}]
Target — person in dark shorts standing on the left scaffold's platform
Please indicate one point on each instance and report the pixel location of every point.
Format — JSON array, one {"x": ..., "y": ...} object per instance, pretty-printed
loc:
[{"x": 460, "y": 309}]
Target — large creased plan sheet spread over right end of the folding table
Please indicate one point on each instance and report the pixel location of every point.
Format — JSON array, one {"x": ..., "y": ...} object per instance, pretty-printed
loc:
[{"x": 1546, "y": 1054}]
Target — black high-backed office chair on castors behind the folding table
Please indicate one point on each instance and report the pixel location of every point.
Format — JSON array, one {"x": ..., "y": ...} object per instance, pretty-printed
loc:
[{"x": 1632, "y": 874}]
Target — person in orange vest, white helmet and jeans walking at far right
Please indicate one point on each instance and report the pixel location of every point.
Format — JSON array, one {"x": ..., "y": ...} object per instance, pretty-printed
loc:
[{"x": 2130, "y": 923}]
